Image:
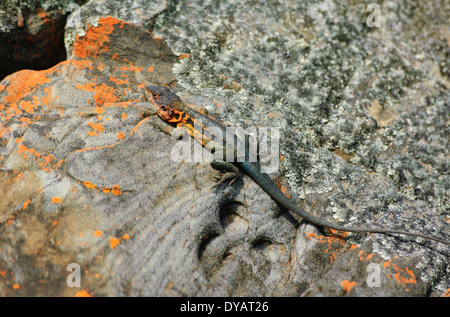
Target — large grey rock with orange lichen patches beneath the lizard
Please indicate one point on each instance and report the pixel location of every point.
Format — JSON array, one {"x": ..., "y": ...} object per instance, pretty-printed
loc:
[{"x": 363, "y": 114}]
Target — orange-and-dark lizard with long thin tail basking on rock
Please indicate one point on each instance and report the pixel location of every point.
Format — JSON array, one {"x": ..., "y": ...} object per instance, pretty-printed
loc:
[{"x": 176, "y": 115}]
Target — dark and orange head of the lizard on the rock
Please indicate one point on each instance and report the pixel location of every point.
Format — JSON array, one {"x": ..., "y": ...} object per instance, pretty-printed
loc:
[{"x": 163, "y": 99}]
